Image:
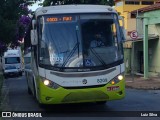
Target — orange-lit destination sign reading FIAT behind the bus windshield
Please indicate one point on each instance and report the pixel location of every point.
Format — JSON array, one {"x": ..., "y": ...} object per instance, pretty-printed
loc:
[{"x": 60, "y": 19}]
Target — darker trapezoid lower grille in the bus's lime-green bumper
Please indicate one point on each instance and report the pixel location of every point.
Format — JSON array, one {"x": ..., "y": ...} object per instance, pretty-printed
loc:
[{"x": 85, "y": 96}]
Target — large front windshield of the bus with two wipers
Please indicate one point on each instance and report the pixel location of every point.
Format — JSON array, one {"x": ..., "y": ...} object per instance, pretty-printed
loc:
[{"x": 79, "y": 41}]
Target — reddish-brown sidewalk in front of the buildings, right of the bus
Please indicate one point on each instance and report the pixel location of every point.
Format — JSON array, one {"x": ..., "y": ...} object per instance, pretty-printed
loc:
[{"x": 140, "y": 83}]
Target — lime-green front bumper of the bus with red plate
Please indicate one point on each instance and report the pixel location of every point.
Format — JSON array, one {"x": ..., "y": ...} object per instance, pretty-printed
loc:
[{"x": 62, "y": 95}]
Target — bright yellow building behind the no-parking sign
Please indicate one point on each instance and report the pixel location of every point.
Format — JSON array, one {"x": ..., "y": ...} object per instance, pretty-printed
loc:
[{"x": 125, "y": 7}]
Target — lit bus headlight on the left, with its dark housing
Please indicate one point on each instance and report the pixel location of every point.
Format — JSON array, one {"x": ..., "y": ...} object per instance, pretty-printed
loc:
[{"x": 50, "y": 84}]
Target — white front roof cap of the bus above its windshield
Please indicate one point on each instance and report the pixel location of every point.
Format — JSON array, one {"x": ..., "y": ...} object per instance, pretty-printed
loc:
[{"x": 60, "y": 9}]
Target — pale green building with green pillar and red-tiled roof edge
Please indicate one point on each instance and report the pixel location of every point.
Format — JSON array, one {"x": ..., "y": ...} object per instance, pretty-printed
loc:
[{"x": 150, "y": 47}]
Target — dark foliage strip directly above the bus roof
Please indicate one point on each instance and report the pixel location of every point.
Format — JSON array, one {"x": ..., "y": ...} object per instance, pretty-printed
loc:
[{"x": 55, "y": 2}]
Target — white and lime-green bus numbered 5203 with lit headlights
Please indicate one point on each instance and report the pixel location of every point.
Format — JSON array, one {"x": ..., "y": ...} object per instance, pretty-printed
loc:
[{"x": 65, "y": 68}]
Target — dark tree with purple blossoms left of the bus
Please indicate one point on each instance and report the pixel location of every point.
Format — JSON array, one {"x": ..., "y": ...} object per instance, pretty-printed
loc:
[{"x": 13, "y": 24}]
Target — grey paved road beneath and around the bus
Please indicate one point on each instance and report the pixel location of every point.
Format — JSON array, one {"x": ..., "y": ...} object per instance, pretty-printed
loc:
[{"x": 17, "y": 99}]
